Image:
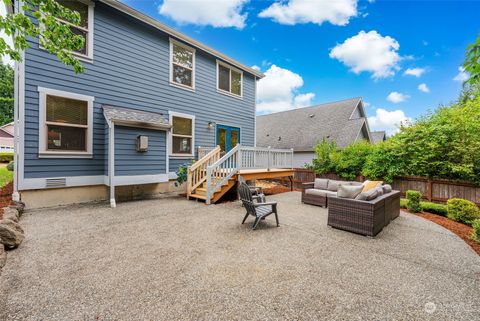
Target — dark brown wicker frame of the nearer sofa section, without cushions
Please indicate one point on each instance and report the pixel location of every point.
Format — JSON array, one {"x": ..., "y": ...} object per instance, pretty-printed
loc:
[{"x": 363, "y": 217}]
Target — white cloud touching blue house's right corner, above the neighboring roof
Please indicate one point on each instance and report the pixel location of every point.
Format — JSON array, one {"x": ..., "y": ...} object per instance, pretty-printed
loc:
[{"x": 278, "y": 91}]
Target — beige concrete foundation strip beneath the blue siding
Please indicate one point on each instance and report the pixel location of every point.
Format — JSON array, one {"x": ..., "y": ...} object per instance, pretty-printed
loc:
[{"x": 42, "y": 198}]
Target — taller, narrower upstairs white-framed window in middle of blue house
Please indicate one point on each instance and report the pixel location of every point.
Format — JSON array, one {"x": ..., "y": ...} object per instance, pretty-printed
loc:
[{"x": 182, "y": 65}]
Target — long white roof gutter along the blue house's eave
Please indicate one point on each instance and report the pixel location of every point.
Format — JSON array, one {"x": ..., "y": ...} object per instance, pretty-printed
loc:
[{"x": 172, "y": 32}]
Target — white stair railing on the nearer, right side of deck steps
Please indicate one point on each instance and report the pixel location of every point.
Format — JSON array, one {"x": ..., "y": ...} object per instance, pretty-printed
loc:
[{"x": 218, "y": 175}]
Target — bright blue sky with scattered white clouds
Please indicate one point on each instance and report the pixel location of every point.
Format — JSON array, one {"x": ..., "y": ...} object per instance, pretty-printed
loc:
[{"x": 297, "y": 38}]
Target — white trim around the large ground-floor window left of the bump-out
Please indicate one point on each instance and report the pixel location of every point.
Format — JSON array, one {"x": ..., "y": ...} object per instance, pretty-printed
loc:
[{"x": 42, "y": 126}]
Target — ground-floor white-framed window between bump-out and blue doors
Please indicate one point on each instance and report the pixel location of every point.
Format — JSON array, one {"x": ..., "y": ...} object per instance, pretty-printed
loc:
[{"x": 182, "y": 135}]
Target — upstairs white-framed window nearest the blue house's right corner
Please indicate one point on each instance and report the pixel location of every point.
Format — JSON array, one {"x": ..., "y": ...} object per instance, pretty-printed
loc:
[{"x": 229, "y": 80}]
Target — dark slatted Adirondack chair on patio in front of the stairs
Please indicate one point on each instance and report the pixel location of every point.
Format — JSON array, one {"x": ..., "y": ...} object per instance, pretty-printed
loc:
[{"x": 260, "y": 209}]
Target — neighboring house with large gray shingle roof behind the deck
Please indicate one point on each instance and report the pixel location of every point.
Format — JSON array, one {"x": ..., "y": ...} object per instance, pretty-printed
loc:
[{"x": 343, "y": 122}]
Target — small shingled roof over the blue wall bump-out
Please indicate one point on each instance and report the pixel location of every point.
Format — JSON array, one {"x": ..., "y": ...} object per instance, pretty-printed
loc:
[{"x": 134, "y": 117}]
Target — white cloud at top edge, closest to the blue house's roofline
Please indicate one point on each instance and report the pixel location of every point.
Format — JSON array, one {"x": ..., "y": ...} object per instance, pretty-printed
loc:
[{"x": 225, "y": 13}]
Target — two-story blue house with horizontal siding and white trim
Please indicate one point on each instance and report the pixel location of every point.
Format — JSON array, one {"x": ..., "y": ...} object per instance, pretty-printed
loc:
[{"x": 149, "y": 97}]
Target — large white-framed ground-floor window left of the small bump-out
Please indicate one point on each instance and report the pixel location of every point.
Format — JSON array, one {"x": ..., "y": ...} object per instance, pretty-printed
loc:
[{"x": 65, "y": 124}]
